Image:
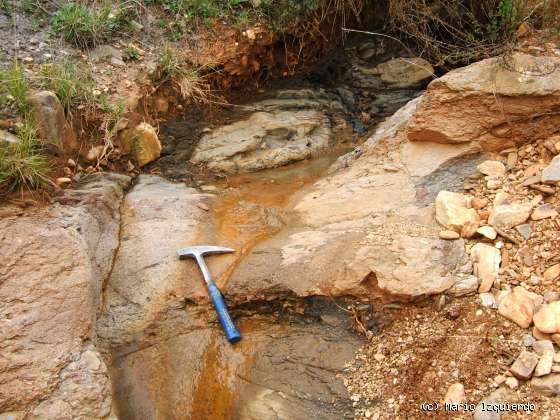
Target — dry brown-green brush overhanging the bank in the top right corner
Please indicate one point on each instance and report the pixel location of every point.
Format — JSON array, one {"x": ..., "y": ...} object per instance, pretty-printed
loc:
[{"x": 452, "y": 33}]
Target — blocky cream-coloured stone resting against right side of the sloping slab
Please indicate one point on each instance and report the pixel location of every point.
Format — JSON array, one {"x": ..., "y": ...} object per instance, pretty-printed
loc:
[{"x": 453, "y": 210}]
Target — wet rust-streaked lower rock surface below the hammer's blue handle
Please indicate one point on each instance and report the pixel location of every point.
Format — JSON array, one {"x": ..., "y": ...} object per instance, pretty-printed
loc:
[{"x": 278, "y": 370}]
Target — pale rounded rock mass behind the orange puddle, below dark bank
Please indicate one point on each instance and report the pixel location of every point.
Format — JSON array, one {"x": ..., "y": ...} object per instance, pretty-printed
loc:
[{"x": 282, "y": 131}]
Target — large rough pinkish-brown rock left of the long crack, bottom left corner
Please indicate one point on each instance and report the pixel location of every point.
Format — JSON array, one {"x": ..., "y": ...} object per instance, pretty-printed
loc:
[{"x": 54, "y": 262}]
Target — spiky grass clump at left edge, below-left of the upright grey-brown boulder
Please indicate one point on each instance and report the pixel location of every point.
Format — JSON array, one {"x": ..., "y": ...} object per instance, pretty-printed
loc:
[{"x": 22, "y": 164}]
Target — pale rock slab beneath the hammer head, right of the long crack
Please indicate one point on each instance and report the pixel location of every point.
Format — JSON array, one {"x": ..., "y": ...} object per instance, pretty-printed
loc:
[{"x": 148, "y": 279}]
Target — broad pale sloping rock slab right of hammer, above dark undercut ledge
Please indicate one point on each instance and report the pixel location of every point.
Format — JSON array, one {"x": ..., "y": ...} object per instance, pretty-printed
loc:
[{"x": 363, "y": 227}]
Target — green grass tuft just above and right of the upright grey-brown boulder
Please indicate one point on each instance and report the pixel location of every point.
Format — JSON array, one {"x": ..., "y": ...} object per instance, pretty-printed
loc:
[{"x": 72, "y": 84}]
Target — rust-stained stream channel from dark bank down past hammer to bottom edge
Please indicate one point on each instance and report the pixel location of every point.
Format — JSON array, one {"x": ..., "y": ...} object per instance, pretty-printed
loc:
[{"x": 169, "y": 359}]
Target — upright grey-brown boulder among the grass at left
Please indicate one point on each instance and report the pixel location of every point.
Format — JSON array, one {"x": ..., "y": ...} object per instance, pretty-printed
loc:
[{"x": 48, "y": 115}]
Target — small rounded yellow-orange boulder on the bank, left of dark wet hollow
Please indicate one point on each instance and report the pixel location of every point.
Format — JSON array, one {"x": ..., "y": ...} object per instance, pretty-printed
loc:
[{"x": 142, "y": 141}]
